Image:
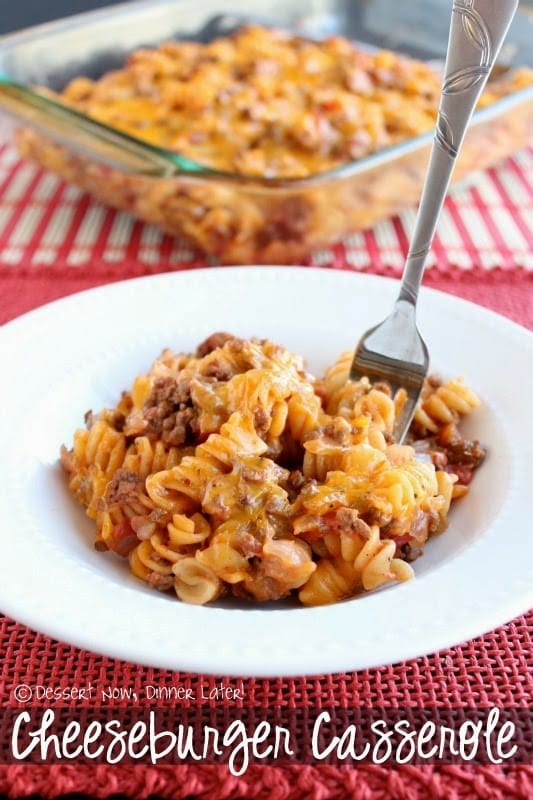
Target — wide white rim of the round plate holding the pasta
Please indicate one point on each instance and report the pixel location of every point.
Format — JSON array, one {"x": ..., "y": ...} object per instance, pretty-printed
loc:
[{"x": 296, "y": 649}]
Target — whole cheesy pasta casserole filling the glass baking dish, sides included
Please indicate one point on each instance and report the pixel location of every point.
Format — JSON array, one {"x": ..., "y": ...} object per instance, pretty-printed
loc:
[{"x": 288, "y": 122}]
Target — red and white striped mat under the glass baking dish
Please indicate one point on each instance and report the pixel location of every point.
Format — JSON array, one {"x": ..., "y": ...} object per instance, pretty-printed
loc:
[{"x": 487, "y": 223}]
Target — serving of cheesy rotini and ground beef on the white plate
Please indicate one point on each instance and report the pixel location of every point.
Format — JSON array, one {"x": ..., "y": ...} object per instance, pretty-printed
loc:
[{"x": 233, "y": 471}]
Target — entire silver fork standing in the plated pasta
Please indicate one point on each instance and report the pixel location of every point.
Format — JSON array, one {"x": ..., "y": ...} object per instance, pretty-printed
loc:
[{"x": 394, "y": 350}]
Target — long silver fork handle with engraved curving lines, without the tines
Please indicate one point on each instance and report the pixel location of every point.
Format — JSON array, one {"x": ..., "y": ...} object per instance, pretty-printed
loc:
[{"x": 477, "y": 31}]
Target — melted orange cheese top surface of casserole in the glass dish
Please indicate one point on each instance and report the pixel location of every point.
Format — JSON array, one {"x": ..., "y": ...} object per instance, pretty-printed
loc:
[{"x": 267, "y": 103}]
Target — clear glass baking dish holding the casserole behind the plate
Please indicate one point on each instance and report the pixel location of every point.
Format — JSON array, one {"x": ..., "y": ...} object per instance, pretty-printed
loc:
[{"x": 235, "y": 218}]
